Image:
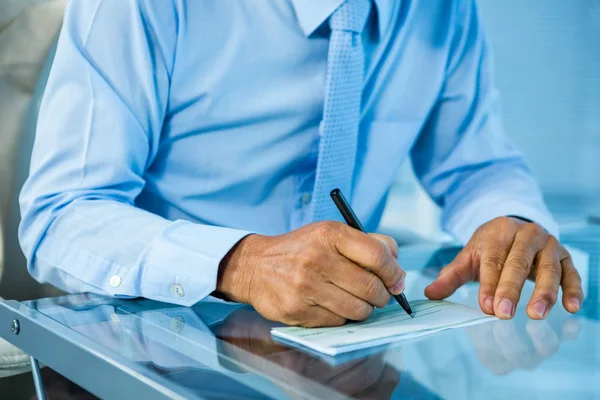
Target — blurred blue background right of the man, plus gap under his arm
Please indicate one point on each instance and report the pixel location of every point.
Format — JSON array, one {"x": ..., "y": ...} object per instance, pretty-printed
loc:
[{"x": 547, "y": 65}]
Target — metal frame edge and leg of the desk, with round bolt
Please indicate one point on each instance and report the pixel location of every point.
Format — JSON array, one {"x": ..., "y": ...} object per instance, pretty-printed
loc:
[{"x": 54, "y": 345}]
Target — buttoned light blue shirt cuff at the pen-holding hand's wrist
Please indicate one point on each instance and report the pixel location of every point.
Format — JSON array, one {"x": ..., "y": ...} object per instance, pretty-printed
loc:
[{"x": 182, "y": 264}]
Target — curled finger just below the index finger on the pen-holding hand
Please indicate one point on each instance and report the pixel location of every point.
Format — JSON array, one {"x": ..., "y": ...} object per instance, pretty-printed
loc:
[{"x": 358, "y": 282}]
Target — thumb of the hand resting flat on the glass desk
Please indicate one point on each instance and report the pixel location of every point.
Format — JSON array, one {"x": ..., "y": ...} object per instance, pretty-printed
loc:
[{"x": 451, "y": 277}]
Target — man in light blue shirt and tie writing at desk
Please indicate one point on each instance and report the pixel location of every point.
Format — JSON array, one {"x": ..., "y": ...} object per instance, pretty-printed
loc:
[{"x": 187, "y": 148}]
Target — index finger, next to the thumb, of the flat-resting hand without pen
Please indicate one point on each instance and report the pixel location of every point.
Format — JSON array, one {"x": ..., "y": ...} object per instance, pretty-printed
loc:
[{"x": 494, "y": 252}]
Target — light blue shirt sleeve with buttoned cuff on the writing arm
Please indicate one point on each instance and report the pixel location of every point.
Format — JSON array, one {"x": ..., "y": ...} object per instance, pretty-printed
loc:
[{"x": 98, "y": 132}]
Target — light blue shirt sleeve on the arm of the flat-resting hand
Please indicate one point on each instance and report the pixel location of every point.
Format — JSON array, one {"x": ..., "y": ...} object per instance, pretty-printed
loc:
[{"x": 463, "y": 157}]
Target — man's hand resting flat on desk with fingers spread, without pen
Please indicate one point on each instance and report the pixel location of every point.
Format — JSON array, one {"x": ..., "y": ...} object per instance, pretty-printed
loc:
[{"x": 502, "y": 255}]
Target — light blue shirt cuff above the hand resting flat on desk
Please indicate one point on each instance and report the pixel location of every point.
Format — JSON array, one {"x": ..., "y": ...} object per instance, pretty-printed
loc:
[{"x": 463, "y": 224}]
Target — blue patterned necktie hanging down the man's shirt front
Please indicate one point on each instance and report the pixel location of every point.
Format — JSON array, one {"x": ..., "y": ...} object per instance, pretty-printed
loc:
[{"x": 341, "y": 112}]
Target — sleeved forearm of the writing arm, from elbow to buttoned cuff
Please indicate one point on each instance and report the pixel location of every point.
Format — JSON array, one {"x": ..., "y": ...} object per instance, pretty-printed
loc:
[{"x": 110, "y": 247}]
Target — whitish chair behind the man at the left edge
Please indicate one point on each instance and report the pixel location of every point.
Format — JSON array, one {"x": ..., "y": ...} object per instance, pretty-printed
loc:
[{"x": 28, "y": 29}]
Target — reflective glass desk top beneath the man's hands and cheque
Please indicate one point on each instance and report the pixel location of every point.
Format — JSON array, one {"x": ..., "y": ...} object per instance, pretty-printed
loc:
[{"x": 144, "y": 349}]
